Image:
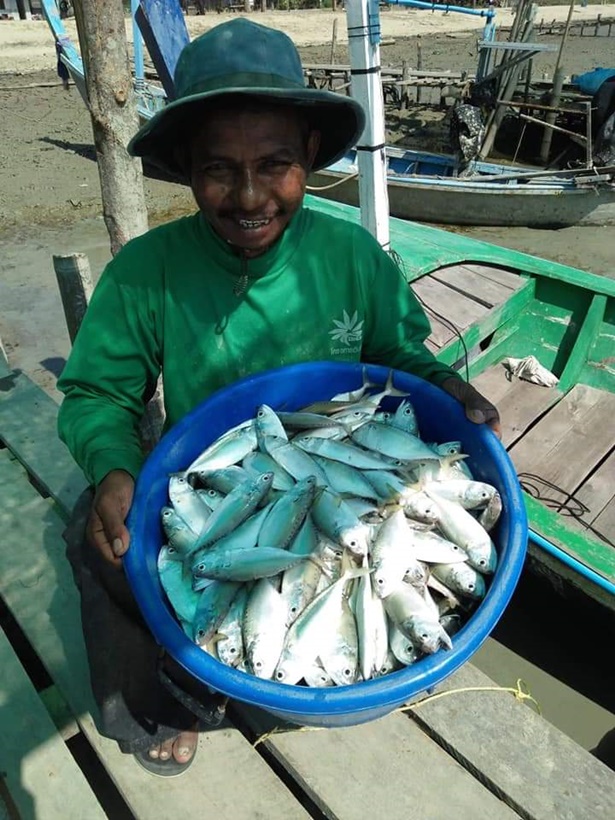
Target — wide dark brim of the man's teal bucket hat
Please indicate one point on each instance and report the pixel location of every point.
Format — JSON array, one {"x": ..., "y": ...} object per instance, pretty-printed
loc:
[{"x": 339, "y": 119}]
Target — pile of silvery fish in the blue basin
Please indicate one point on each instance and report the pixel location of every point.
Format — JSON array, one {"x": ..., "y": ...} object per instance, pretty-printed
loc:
[{"x": 329, "y": 545}]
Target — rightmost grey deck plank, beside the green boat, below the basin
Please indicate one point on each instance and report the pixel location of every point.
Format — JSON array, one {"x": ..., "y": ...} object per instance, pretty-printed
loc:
[{"x": 534, "y": 767}]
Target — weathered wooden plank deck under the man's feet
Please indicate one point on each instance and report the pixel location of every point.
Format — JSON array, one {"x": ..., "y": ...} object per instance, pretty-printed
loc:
[{"x": 474, "y": 751}]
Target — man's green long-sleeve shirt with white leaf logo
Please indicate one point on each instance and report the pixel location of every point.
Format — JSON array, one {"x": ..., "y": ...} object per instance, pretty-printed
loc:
[{"x": 168, "y": 303}]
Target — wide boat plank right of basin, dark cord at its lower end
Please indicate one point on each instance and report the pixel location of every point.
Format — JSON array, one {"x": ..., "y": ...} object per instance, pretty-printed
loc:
[{"x": 562, "y": 447}]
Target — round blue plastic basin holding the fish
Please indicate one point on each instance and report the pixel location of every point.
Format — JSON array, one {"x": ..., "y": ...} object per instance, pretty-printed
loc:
[{"x": 441, "y": 419}]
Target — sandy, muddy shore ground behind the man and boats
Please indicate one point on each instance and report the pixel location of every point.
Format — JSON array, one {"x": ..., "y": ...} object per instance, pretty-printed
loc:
[{"x": 50, "y": 191}]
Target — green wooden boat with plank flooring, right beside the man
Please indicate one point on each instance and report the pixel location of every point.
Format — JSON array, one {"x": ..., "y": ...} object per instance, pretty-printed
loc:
[{"x": 497, "y": 303}]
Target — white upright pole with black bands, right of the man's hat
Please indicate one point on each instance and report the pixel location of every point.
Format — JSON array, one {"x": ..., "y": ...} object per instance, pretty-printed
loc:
[{"x": 363, "y": 21}]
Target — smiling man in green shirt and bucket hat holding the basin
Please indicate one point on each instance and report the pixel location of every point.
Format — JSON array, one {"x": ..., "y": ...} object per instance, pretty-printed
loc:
[{"x": 254, "y": 280}]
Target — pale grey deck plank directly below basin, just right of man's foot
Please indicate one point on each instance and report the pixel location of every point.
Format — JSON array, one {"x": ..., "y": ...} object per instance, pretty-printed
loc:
[{"x": 418, "y": 780}]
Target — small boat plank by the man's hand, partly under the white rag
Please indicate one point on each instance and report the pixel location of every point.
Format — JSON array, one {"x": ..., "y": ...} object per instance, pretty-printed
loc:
[{"x": 519, "y": 402}]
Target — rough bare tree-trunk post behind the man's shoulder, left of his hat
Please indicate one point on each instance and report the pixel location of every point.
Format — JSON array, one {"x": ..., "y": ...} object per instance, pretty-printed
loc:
[{"x": 112, "y": 105}]
